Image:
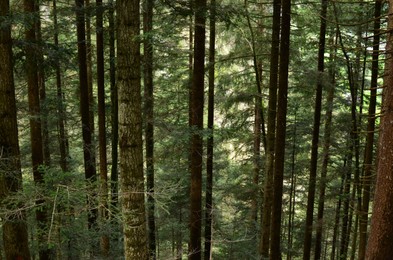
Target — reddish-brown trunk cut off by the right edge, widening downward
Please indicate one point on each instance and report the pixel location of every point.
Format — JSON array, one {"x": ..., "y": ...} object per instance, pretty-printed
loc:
[{"x": 380, "y": 243}]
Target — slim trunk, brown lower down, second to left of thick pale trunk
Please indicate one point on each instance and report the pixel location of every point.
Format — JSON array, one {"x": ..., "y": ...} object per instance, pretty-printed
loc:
[{"x": 102, "y": 126}]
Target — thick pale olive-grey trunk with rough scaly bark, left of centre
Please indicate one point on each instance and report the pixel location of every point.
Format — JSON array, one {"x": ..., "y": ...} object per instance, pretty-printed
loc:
[{"x": 130, "y": 130}]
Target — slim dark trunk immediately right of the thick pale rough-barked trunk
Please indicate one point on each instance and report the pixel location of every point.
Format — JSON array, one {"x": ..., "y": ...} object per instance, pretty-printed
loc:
[{"x": 149, "y": 118}]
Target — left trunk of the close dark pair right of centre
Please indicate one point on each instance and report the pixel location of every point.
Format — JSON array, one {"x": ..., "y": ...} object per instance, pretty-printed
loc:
[{"x": 271, "y": 132}]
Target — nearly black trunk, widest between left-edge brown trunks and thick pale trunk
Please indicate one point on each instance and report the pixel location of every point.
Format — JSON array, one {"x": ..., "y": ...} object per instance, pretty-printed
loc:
[{"x": 88, "y": 149}]
